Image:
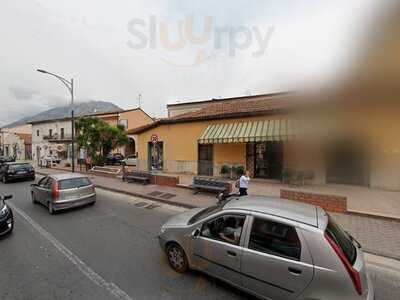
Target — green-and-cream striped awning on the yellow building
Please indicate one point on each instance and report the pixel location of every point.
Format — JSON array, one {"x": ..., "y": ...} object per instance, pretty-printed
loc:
[{"x": 243, "y": 132}]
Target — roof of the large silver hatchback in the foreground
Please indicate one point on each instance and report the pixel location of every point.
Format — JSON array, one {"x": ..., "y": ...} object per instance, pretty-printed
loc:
[{"x": 291, "y": 210}]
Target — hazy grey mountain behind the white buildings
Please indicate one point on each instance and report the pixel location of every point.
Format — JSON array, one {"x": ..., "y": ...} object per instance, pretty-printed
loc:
[{"x": 82, "y": 108}]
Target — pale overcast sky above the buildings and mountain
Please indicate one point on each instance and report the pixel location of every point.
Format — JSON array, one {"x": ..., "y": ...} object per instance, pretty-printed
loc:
[{"x": 169, "y": 50}]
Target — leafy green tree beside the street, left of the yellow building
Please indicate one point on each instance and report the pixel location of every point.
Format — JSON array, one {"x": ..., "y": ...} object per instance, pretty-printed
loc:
[{"x": 98, "y": 137}]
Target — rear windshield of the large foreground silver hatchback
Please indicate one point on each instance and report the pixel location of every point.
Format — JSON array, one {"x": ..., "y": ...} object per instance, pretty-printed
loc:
[{"x": 342, "y": 239}]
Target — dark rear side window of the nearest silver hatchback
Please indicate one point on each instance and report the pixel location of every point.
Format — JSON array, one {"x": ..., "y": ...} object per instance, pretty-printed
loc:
[{"x": 275, "y": 238}]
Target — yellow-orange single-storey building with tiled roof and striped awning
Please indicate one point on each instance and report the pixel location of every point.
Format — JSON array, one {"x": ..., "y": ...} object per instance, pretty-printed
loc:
[{"x": 338, "y": 142}]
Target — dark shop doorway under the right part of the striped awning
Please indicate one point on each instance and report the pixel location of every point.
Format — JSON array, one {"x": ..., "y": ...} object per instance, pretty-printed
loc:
[{"x": 268, "y": 160}]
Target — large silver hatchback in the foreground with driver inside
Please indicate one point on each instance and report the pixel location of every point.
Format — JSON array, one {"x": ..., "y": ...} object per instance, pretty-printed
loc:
[{"x": 271, "y": 248}]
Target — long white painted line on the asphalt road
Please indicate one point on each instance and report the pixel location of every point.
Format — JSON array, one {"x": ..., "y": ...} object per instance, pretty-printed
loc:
[{"x": 85, "y": 270}]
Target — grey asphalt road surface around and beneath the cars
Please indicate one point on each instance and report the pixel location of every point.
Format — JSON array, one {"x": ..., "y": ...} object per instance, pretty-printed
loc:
[{"x": 110, "y": 251}]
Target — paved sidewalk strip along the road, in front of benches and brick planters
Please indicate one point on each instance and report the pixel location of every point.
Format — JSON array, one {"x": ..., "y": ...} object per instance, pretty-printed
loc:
[{"x": 378, "y": 236}]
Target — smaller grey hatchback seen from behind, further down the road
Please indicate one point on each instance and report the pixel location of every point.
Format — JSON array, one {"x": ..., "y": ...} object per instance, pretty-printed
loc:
[{"x": 63, "y": 191}]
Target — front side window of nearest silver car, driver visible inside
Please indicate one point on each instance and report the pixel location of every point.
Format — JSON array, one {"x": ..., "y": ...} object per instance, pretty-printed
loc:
[{"x": 227, "y": 228}]
